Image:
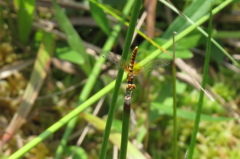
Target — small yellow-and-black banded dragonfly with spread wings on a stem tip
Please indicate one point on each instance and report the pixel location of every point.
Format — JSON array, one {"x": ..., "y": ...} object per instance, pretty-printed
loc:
[{"x": 134, "y": 69}]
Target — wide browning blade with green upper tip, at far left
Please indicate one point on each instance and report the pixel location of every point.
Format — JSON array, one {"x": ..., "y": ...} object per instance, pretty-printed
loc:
[{"x": 38, "y": 76}]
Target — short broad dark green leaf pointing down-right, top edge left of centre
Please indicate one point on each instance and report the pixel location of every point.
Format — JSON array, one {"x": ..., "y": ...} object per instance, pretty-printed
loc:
[{"x": 100, "y": 17}]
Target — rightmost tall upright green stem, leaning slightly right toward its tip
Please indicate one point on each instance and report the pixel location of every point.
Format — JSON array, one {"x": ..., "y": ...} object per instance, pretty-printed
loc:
[{"x": 204, "y": 82}]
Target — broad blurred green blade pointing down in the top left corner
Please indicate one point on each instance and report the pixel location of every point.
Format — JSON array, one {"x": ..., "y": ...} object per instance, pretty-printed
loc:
[{"x": 25, "y": 15}]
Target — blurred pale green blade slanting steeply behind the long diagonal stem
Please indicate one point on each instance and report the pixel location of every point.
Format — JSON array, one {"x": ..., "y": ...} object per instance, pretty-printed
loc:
[{"x": 92, "y": 79}]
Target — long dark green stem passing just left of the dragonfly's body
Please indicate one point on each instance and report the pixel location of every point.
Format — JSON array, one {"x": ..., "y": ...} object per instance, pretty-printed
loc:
[{"x": 126, "y": 48}]
